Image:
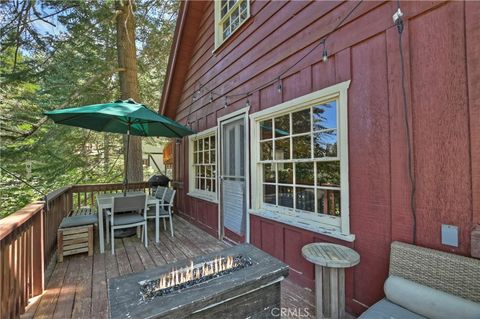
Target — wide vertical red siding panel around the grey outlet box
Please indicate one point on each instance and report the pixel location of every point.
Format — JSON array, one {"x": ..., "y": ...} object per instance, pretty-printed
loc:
[{"x": 440, "y": 124}]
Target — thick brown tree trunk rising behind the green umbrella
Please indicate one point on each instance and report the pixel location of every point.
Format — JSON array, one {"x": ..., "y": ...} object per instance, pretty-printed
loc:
[{"x": 129, "y": 88}]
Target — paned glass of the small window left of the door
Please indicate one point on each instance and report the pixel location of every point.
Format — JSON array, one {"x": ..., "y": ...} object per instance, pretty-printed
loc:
[{"x": 204, "y": 164}]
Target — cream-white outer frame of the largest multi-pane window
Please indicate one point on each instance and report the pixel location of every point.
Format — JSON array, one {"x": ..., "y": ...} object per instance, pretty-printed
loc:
[{"x": 297, "y": 218}]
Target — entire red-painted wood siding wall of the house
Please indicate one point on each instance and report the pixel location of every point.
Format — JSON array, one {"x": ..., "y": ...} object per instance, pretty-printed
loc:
[{"x": 441, "y": 43}]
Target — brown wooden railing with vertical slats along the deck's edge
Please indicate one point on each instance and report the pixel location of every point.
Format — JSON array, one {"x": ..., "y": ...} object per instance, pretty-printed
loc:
[{"x": 28, "y": 240}]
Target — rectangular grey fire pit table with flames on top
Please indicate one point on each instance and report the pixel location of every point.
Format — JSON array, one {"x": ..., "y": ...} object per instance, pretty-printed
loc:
[{"x": 238, "y": 282}]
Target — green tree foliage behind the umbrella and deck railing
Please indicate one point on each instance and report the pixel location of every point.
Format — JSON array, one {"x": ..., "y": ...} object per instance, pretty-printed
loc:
[{"x": 68, "y": 58}]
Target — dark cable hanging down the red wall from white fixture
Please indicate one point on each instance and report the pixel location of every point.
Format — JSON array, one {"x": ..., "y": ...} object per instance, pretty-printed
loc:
[{"x": 399, "y": 23}]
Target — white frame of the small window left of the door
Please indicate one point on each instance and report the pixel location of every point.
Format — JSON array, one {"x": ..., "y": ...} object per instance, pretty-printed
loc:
[{"x": 192, "y": 191}]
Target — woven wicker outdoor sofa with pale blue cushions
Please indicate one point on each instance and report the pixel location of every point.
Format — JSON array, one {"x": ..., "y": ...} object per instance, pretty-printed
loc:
[{"x": 426, "y": 283}]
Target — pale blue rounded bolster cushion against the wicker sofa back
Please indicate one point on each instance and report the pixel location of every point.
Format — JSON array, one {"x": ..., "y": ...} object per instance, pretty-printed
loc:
[{"x": 429, "y": 302}]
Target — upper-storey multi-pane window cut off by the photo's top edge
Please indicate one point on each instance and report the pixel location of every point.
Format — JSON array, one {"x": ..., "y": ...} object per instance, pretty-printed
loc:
[{"x": 229, "y": 15}]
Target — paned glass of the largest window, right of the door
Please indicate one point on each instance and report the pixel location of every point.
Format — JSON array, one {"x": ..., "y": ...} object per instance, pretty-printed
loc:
[{"x": 300, "y": 162}]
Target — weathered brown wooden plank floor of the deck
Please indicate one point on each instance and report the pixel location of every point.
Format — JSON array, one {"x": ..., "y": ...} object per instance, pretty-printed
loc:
[{"x": 77, "y": 287}]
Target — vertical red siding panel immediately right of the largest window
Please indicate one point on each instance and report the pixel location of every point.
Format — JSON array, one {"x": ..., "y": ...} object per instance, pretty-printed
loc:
[{"x": 370, "y": 178}]
